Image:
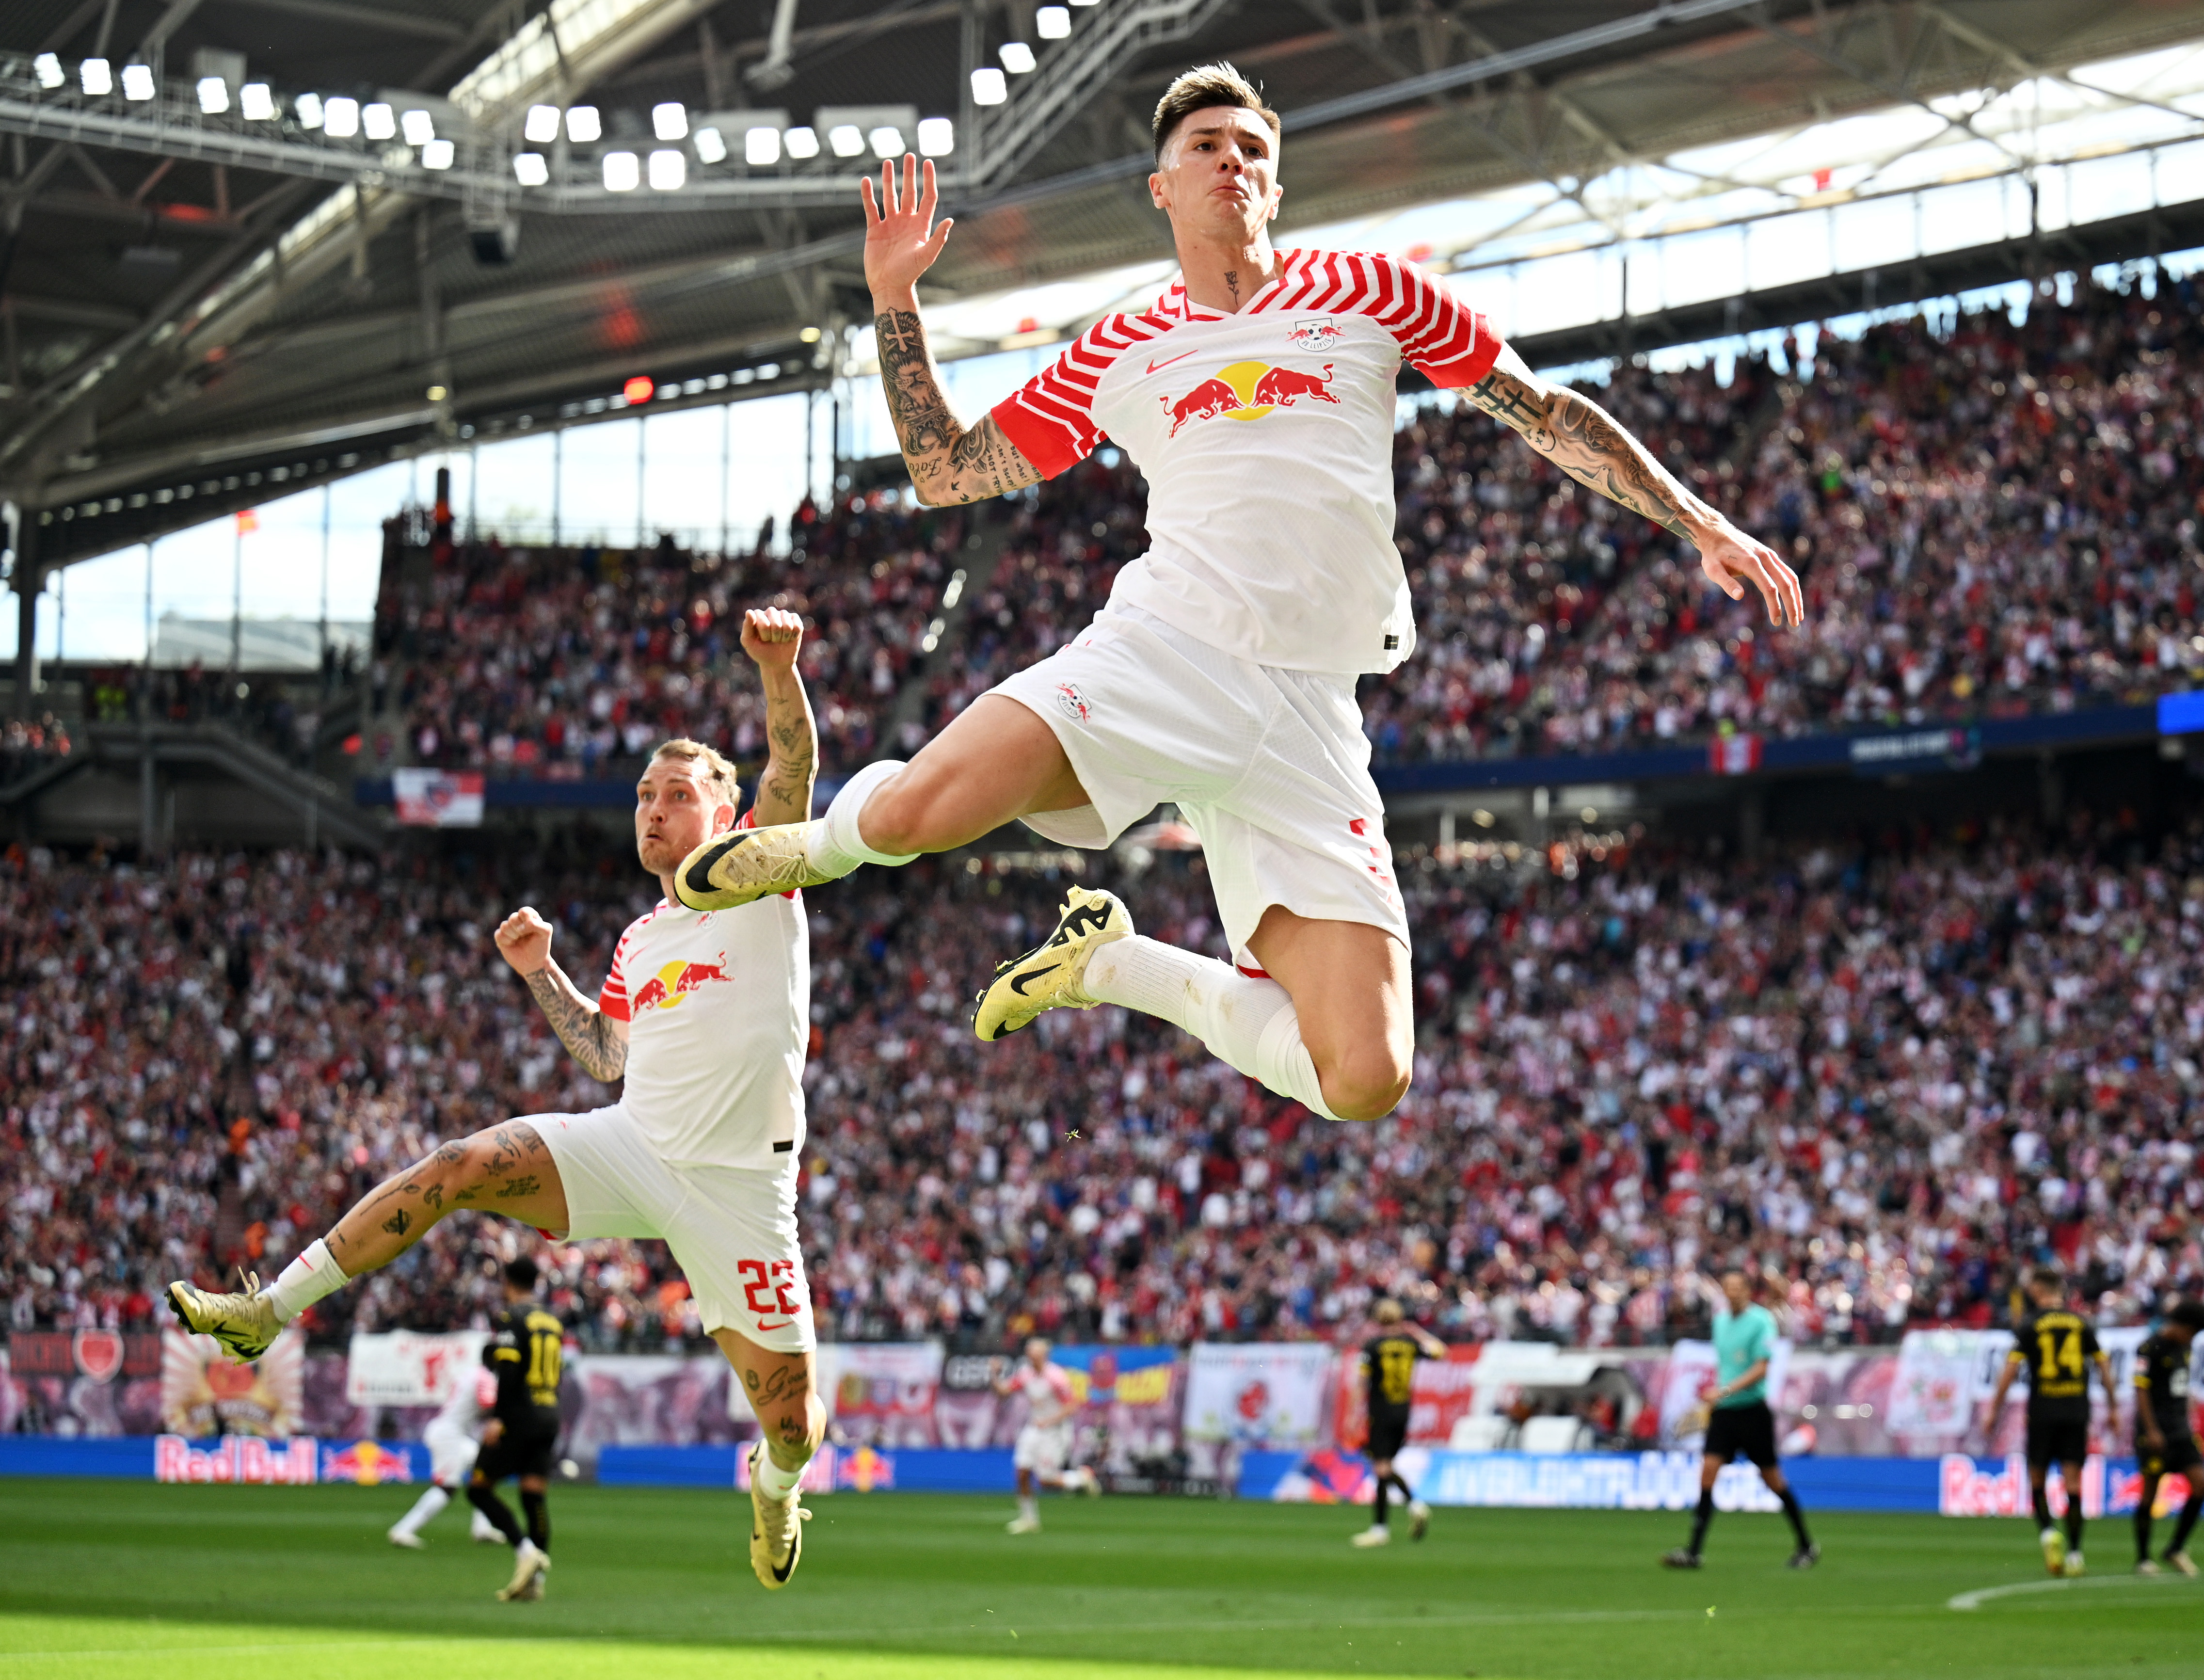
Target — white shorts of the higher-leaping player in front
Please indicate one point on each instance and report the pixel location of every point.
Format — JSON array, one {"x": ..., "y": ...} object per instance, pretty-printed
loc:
[{"x": 1271, "y": 768}]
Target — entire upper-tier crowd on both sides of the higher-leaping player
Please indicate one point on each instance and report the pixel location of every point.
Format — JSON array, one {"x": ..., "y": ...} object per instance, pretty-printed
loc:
[{"x": 1989, "y": 517}]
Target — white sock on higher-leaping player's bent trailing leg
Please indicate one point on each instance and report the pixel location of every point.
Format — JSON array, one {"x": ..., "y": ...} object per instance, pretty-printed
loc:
[{"x": 1246, "y": 1022}]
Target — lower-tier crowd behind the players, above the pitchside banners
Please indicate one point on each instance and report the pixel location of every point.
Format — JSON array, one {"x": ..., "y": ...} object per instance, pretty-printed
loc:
[{"x": 1888, "y": 1073}]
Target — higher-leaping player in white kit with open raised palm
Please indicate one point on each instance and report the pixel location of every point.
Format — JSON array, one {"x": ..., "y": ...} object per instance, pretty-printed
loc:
[{"x": 1257, "y": 398}]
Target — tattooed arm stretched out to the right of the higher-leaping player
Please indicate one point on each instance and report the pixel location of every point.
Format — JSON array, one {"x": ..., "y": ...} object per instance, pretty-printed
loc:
[{"x": 1586, "y": 442}]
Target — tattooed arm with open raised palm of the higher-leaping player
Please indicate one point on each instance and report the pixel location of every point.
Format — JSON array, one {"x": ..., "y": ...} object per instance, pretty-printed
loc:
[{"x": 949, "y": 464}]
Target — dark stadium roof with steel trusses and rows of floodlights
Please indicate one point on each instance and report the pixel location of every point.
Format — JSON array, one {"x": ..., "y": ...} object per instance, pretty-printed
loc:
[{"x": 213, "y": 292}]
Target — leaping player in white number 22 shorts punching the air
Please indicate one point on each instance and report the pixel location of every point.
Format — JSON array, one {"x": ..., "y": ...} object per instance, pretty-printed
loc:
[{"x": 706, "y": 1017}]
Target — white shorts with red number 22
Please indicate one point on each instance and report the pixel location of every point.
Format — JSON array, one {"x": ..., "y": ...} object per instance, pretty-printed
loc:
[{"x": 733, "y": 1229}]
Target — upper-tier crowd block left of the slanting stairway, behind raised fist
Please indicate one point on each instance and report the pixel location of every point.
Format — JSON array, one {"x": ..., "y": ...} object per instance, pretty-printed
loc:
[{"x": 568, "y": 663}]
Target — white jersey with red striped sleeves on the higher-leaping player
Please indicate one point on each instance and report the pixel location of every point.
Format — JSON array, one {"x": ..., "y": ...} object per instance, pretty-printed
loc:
[{"x": 1268, "y": 449}]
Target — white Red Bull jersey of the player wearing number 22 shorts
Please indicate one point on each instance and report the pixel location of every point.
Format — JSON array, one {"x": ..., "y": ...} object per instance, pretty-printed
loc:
[{"x": 720, "y": 1017}]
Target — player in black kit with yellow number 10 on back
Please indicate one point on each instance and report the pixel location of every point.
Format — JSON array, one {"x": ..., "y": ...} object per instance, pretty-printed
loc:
[{"x": 521, "y": 1436}]
